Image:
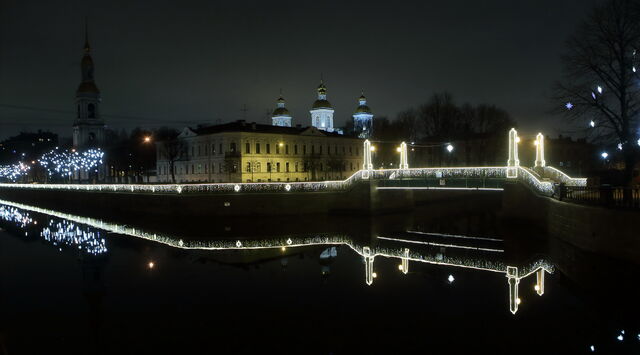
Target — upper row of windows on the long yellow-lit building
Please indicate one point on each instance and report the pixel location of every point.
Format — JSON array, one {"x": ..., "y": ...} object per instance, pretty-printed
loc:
[{"x": 280, "y": 148}]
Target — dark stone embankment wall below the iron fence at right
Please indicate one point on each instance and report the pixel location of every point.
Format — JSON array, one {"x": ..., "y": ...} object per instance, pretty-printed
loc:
[{"x": 608, "y": 231}]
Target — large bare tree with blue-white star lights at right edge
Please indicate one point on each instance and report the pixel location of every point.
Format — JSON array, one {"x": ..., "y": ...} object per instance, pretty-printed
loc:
[{"x": 600, "y": 84}]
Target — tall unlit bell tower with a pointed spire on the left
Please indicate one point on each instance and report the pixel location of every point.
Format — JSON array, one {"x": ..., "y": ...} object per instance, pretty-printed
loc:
[{"x": 88, "y": 128}]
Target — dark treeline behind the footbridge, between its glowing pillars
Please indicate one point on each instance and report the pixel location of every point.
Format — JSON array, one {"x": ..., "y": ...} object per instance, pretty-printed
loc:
[{"x": 478, "y": 134}]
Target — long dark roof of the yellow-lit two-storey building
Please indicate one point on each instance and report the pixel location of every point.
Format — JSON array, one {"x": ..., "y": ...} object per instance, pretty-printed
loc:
[{"x": 243, "y": 126}]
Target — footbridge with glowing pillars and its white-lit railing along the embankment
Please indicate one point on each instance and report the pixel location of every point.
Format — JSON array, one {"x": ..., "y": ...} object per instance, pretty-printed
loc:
[{"x": 540, "y": 178}]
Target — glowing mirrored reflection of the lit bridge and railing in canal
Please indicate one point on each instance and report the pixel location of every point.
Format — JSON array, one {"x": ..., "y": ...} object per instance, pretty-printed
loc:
[{"x": 477, "y": 253}]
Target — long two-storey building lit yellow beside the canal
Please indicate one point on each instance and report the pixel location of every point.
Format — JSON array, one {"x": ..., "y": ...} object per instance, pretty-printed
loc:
[{"x": 250, "y": 152}]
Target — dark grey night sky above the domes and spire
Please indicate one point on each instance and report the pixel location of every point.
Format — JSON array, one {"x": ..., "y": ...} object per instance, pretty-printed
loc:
[{"x": 183, "y": 62}]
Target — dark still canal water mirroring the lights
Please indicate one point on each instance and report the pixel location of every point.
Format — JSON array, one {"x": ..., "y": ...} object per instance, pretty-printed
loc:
[{"x": 432, "y": 281}]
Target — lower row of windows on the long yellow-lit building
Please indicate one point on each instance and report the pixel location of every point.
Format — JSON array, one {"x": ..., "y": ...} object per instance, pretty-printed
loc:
[{"x": 255, "y": 167}]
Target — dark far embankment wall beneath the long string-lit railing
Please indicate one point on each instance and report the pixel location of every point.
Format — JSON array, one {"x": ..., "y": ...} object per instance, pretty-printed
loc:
[{"x": 363, "y": 199}]
